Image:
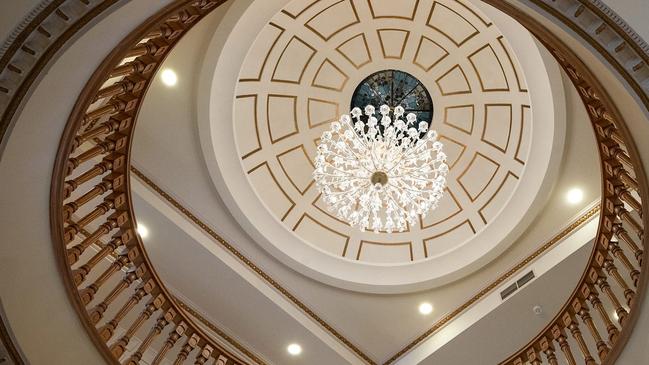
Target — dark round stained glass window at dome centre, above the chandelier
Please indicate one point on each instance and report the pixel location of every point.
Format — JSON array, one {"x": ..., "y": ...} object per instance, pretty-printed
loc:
[{"x": 393, "y": 87}]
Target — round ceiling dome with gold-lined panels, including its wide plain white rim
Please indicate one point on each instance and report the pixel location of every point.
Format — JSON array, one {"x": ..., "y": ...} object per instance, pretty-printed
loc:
[{"x": 300, "y": 72}]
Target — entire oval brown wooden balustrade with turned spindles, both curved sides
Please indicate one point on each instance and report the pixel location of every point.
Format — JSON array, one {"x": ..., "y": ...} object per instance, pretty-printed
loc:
[{"x": 126, "y": 300}]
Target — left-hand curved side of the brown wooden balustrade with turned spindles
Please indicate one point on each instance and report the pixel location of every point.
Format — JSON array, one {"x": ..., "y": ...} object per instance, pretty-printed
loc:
[{"x": 125, "y": 306}]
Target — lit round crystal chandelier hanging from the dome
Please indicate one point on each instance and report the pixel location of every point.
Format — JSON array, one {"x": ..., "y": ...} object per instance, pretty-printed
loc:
[{"x": 380, "y": 175}]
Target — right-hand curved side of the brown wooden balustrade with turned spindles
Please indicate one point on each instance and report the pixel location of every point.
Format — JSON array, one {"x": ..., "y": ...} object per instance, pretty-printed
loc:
[{"x": 612, "y": 279}]
